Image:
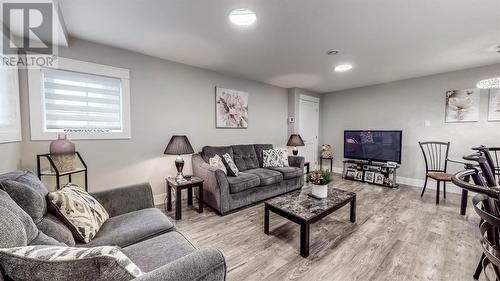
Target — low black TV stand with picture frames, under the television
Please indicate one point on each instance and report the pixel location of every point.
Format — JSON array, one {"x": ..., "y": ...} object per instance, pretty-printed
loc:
[{"x": 370, "y": 172}]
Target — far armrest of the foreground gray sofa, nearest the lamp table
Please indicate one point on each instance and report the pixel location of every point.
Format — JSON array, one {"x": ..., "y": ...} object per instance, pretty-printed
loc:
[{"x": 122, "y": 200}]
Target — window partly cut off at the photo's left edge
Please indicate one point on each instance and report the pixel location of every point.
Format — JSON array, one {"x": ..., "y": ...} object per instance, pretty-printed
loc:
[{"x": 10, "y": 120}]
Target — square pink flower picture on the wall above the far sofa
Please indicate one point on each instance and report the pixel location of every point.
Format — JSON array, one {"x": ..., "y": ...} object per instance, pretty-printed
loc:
[{"x": 231, "y": 108}]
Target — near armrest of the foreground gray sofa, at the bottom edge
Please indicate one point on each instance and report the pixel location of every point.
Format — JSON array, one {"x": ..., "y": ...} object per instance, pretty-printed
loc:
[{"x": 201, "y": 265}]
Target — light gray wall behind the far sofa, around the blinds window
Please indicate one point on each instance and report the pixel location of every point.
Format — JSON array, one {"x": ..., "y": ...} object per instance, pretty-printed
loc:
[{"x": 166, "y": 98}]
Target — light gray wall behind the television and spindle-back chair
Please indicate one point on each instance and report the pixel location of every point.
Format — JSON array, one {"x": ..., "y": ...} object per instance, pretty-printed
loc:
[{"x": 405, "y": 105}]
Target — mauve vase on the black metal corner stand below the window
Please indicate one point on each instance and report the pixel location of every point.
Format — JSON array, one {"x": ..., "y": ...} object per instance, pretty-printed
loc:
[{"x": 62, "y": 152}]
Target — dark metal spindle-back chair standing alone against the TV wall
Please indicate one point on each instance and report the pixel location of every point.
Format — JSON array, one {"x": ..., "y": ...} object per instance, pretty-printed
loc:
[{"x": 436, "y": 163}]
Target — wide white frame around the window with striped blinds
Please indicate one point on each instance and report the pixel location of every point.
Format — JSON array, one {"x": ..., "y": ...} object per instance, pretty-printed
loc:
[{"x": 37, "y": 102}]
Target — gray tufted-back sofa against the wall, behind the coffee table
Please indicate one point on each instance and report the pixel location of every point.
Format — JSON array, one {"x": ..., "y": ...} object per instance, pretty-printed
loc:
[{"x": 253, "y": 184}]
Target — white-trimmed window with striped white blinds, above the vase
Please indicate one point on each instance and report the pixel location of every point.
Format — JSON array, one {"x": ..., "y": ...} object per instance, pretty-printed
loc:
[{"x": 83, "y": 100}]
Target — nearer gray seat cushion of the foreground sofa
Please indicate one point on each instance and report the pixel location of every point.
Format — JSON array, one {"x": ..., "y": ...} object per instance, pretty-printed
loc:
[{"x": 153, "y": 253}]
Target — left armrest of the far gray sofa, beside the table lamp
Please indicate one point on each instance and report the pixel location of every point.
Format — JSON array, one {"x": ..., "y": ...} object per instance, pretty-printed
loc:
[{"x": 215, "y": 182}]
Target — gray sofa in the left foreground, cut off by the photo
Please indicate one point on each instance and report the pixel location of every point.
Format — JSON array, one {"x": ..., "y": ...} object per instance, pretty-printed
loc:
[{"x": 143, "y": 232}]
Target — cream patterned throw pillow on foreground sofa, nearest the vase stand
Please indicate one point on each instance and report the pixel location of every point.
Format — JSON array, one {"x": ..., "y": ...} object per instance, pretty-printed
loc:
[{"x": 83, "y": 214}]
